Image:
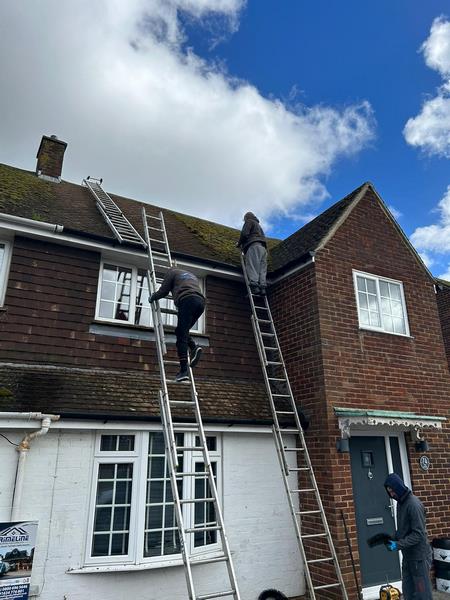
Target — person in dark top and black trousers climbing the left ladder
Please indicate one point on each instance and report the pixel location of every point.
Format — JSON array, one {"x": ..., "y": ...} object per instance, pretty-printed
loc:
[{"x": 190, "y": 303}]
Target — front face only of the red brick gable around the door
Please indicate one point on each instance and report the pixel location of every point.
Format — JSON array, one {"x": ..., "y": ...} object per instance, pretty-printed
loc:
[{"x": 366, "y": 369}]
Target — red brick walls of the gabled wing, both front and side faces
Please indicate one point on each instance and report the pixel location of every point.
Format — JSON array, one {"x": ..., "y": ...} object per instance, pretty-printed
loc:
[{"x": 331, "y": 362}]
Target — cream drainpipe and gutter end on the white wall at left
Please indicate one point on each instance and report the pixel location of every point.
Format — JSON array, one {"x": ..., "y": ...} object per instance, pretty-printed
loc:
[{"x": 23, "y": 449}]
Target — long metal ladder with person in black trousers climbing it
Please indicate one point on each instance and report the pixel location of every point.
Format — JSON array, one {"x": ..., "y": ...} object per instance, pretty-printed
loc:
[{"x": 159, "y": 259}]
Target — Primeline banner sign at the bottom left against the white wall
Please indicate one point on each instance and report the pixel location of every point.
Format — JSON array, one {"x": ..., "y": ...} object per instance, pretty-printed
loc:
[{"x": 17, "y": 543}]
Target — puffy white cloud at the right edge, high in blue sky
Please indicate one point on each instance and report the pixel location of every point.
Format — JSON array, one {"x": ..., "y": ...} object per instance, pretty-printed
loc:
[{"x": 430, "y": 129}]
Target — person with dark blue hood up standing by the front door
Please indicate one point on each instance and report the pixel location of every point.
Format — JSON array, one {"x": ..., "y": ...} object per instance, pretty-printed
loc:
[{"x": 411, "y": 539}]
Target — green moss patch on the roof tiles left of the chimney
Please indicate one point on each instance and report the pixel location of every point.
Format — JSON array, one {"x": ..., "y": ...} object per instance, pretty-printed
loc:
[{"x": 24, "y": 189}]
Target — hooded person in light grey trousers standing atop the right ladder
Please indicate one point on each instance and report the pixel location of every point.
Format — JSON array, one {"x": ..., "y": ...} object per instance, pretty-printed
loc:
[{"x": 252, "y": 242}]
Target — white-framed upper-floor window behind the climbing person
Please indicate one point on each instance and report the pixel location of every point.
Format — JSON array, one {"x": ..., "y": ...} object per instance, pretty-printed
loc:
[{"x": 199, "y": 328}]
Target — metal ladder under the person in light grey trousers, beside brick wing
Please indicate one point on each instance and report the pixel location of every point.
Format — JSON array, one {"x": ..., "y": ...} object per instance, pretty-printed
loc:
[{"x": 311, "y": 527}]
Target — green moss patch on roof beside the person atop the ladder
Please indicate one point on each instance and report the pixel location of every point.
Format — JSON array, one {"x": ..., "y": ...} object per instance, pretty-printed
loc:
[{"x": 220, "y": 238}]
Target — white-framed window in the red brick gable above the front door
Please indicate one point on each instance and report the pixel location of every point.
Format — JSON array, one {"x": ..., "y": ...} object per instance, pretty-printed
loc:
[{"x": 381, "y": 304}]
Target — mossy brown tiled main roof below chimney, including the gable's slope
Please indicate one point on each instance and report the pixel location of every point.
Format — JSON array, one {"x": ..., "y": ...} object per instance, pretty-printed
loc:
[{"x": 23, "y": 194}]
